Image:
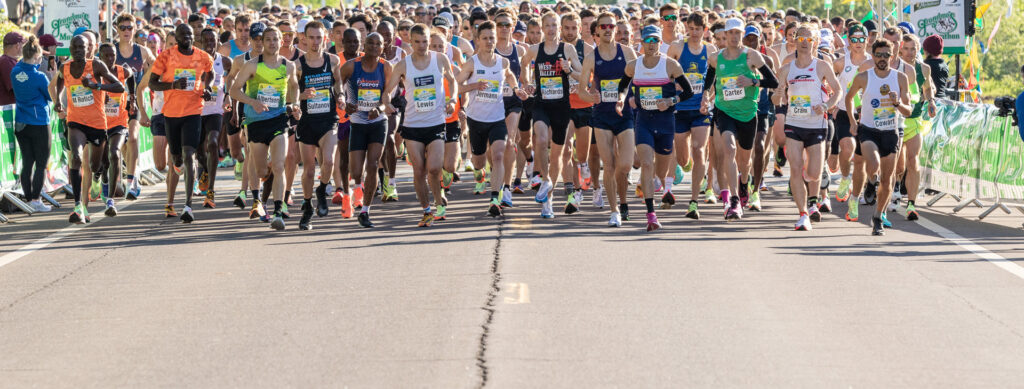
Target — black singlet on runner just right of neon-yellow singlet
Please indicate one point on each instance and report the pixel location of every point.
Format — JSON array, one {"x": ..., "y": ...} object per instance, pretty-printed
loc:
[{"x": 322, "y": 108}]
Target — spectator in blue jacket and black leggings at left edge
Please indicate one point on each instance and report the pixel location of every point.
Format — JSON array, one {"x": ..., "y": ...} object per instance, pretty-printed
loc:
[{"x": 33, "y": 118}]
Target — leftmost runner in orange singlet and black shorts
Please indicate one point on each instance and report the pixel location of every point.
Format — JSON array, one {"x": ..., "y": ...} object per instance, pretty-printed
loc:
[{"x": 87, "y": 120}]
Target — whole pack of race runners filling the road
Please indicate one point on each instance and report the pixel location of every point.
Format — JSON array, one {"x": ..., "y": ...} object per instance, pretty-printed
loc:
[{"x": 520, "y": 96}]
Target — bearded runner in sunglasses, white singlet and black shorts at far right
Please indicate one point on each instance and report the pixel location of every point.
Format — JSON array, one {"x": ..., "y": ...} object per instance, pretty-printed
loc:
[{"x": 886, "y": 97}]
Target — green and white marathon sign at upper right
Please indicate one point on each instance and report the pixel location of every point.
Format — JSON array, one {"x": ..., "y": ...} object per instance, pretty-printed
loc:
[{"x": 946, "y": 18}]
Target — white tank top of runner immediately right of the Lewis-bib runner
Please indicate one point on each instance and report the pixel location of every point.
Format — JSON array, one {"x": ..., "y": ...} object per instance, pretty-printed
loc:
[{"x": 487, "y": 106}]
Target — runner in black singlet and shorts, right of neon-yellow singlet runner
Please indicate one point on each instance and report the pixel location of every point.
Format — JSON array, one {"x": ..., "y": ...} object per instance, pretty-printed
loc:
[{"x": 317, "y": 133}]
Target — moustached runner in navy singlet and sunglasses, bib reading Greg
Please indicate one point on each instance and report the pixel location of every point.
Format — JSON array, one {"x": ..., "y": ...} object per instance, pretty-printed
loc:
[{"x": 613, "y": 119}]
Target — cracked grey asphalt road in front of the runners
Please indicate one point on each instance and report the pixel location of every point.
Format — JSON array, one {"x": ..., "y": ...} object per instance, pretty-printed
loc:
[{"x": 144, "y": 301}]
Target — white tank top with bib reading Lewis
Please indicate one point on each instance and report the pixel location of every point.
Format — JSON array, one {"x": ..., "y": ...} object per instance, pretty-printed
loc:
[{"x": 426, "y": 93}]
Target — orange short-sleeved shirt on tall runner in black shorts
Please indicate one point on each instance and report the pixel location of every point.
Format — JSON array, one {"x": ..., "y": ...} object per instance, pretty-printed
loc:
[{"x": 173, "y": 65}]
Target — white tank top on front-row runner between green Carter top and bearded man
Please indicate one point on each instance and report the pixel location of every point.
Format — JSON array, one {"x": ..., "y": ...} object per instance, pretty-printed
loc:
[{"x": 804, "y": 92}]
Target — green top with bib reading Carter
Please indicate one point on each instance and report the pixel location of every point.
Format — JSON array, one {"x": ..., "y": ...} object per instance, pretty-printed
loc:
[{"x": 741, "y": 104}]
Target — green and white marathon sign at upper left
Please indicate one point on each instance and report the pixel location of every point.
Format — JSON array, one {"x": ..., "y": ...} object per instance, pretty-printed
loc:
[{"x": 64, "y": 17}]
